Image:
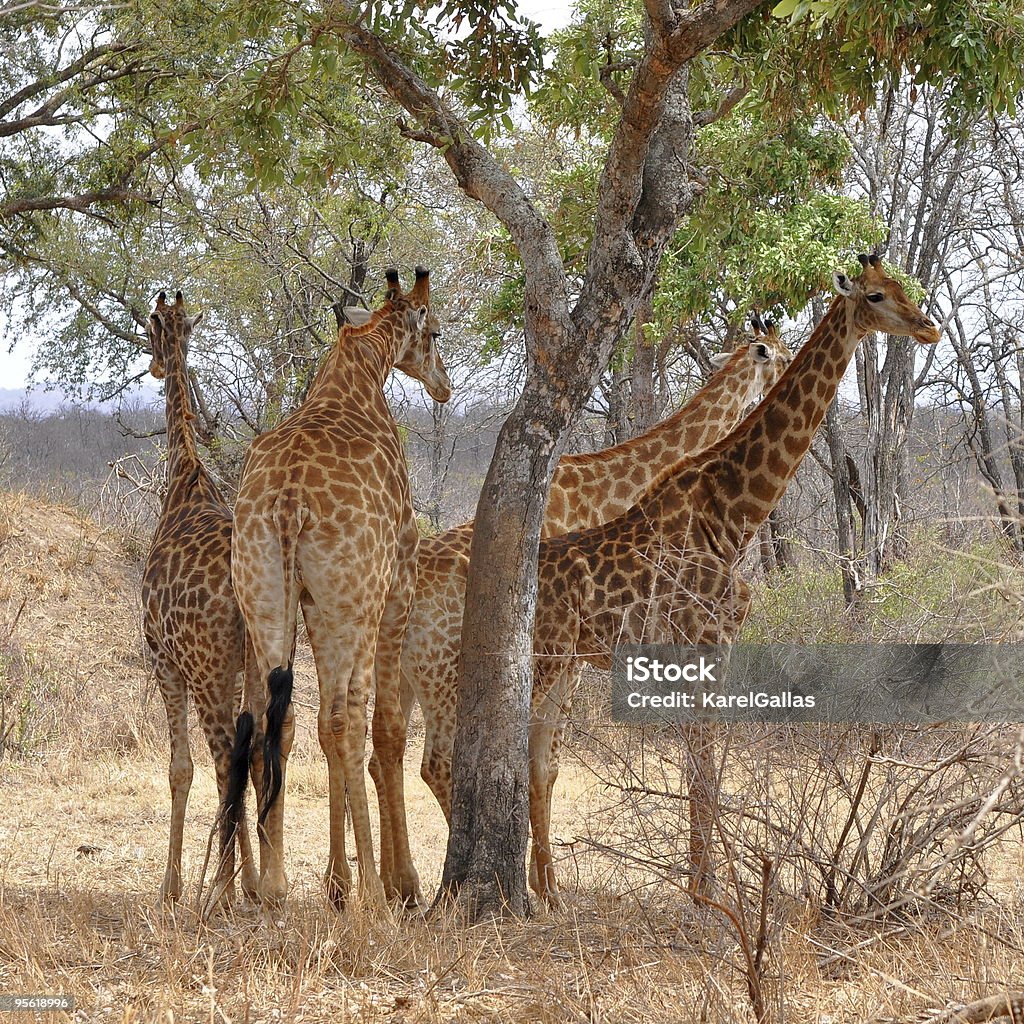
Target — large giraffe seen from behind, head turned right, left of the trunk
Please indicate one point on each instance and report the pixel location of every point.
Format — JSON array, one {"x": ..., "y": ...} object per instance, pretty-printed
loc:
[{"x": 324, "y": 519}]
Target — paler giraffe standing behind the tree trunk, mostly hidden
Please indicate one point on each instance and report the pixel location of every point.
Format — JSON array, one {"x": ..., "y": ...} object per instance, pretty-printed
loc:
[{"x": 586, "y": 491}]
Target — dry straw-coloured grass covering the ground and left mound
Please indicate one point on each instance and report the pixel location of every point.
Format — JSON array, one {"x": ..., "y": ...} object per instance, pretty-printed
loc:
[{"x": 82, "y": 847}]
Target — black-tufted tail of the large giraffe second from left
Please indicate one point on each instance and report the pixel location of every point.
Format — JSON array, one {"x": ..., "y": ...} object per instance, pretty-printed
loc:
[{"x": 290, "y": 516}]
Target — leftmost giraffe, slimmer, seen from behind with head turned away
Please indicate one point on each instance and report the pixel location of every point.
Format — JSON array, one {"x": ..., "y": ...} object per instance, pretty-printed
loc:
[{"x": 191, "y": 619}]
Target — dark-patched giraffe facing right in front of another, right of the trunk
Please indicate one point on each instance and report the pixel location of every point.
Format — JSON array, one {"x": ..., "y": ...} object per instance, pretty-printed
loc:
[{"x": 667, "y": 570}]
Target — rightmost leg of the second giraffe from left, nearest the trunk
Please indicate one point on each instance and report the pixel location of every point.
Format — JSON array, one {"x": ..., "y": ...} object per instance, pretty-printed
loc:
[{"x": 390, "y": 735}]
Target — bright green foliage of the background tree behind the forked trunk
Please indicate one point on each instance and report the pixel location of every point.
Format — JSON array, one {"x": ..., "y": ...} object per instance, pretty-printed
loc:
[{"x": 767, "y": 233}]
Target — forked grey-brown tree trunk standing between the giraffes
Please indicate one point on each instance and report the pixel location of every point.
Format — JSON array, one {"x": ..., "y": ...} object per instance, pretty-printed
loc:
[{"x": 646, "y": 188}]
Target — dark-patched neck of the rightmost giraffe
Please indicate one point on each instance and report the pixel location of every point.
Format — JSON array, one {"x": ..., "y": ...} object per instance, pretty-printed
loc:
[{"x": 737, "y": 484}]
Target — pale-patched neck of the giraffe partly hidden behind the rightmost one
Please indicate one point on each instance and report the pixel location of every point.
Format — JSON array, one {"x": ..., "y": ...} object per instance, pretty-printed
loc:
[{"x": 716, "y": 406}]
